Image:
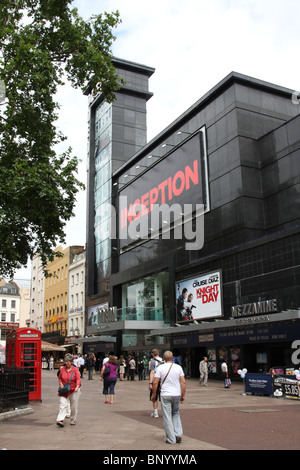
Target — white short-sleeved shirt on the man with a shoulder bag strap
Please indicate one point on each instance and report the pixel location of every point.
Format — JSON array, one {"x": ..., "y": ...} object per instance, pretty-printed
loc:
[{"x": 171, "y": 386}]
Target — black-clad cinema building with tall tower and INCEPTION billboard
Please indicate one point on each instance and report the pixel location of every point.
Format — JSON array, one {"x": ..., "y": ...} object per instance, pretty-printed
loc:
[{"x": 193, "y": 237}]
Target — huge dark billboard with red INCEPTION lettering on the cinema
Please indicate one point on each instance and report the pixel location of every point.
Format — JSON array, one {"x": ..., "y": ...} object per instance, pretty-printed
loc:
[{"x": 157, "y": 200}]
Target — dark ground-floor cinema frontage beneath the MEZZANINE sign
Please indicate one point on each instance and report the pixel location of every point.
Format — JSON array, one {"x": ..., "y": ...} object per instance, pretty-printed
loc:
[{"x": 255, "y": 343}]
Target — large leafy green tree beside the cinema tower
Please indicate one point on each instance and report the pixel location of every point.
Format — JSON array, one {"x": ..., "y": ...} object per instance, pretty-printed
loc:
[{"x": 43, "y": 42}]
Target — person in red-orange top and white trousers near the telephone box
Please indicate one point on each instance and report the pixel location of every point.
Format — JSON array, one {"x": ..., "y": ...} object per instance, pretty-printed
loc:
[{"x": 68, "y": 373}]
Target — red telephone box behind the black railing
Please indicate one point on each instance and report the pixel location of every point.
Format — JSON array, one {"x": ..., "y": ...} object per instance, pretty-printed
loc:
[{"x": 23, "y": 349}]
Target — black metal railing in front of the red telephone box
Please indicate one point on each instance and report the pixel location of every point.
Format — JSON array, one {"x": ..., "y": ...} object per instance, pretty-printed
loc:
[{"x": 14, "y": 388}]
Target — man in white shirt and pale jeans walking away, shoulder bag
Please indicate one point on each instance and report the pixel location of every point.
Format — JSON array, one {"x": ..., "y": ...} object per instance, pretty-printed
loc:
[{"x": 171, "y": 377}]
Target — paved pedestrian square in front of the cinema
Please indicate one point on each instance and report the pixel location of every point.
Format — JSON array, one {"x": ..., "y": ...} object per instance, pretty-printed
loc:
[{"x": 213, "y": 418}]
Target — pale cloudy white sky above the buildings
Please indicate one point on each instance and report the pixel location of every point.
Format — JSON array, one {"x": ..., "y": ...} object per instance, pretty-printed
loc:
[{"x": 192, "y": 44}]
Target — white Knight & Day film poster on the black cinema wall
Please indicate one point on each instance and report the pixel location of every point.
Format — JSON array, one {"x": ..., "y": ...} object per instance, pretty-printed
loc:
[{"x": 199, "y": 298}]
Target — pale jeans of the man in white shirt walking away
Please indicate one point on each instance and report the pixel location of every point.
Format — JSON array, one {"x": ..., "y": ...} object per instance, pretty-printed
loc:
[{"x": 171, "y": 418}]
